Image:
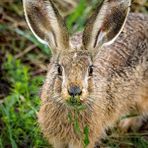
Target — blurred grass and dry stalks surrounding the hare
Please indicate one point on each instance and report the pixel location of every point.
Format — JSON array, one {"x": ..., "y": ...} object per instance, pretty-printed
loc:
[{"x": 23, "y": 62}]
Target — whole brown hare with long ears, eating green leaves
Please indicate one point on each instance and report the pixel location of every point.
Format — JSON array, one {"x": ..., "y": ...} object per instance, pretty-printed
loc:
[{"x": 104, "y": 68}]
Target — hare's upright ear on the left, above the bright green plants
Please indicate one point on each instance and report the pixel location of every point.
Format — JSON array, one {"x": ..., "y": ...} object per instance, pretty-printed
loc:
[{"x": 46, "y": 23}]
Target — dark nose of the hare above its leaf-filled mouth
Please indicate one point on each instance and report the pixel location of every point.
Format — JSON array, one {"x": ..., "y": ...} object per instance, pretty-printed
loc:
[{"x": 74, "y": 91}]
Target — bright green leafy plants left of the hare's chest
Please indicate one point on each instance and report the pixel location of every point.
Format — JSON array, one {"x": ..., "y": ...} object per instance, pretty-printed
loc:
[{"x": 19, "y": 122}]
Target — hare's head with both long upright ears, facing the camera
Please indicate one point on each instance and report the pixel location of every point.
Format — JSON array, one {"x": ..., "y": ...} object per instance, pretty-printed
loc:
[{"x": 72, "y": 69}]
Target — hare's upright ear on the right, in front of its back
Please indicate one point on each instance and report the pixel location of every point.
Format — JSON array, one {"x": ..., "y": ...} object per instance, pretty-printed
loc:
[{"x": 105, "y": 25}]
